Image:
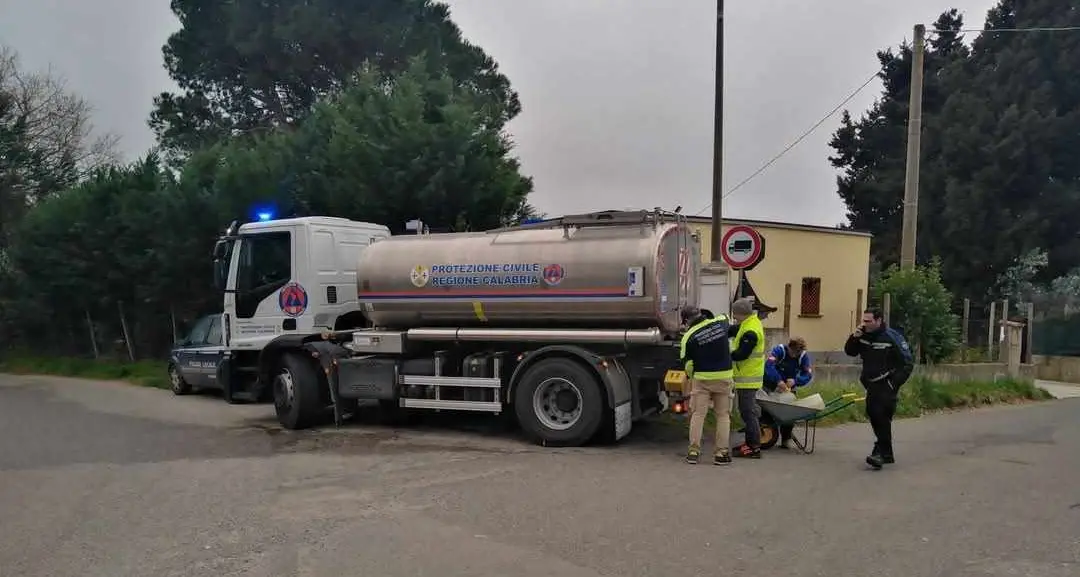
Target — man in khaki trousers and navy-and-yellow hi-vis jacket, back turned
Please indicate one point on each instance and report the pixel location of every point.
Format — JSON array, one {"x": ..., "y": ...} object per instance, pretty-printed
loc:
[{"x": 707, "y": 359}]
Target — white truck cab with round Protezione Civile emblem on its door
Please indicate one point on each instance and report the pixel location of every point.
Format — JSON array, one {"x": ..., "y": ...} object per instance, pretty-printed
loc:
[{"x": 292, "y": 276}]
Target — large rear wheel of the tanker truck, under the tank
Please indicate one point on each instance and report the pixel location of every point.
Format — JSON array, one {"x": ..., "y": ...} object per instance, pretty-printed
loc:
[{"x": 559, "y": 404}]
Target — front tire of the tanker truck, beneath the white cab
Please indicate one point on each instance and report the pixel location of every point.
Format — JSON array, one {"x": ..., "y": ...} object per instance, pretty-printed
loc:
[{"x": 296, "y": 393}]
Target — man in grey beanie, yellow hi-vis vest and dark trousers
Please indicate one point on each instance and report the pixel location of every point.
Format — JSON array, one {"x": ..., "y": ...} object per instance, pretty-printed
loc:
[{"x": 748, "y": 352}]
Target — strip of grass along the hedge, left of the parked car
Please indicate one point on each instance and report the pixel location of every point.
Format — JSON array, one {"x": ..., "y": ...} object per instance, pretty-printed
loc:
[{"x": 143, "y": 373}]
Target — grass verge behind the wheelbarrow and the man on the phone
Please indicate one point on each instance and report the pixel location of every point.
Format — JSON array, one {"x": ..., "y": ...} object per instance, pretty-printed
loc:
[{"x": 917, "y": 398}]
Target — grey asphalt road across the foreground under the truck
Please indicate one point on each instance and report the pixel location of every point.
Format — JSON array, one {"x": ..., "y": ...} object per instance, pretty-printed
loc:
[{"x": 111, "y": 480}]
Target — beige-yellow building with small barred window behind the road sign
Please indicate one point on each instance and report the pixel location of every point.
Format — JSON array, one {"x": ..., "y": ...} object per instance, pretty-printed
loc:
[{"x": 825, "y": 271}]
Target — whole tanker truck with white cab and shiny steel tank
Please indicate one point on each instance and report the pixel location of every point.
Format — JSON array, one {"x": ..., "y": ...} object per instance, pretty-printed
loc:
[{"x": 570, "y": 325}]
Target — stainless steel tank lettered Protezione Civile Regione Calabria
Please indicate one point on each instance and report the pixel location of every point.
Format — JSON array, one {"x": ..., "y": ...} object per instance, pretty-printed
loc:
[{"x": 624, "y": 276}]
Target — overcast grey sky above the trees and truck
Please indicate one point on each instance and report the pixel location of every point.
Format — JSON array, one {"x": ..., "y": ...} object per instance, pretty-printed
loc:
[{"x": 617, "y": 95}]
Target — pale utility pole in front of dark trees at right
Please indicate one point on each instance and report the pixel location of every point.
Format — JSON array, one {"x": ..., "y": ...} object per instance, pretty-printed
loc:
[{"x": 914, "y": 151}]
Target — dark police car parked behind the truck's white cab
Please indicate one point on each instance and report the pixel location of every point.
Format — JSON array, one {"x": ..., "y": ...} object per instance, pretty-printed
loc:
[{"x": 194, "y": 363}]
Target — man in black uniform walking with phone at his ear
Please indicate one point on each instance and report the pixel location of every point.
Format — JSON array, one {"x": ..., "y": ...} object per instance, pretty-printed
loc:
[{"x": 887, "y": 366}]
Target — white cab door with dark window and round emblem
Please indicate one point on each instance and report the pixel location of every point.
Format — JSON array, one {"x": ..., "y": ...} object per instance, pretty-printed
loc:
[{"x": 267, "y": 302}]
